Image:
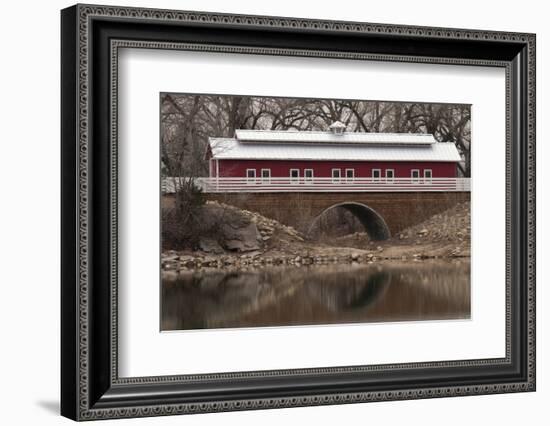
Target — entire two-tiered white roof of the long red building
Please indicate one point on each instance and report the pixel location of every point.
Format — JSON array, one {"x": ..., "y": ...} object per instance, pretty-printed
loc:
[{"x": 310, "y": 146}]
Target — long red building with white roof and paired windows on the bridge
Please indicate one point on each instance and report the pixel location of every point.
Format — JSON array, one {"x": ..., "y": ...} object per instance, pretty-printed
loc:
[{"x": 336, "y": 154}]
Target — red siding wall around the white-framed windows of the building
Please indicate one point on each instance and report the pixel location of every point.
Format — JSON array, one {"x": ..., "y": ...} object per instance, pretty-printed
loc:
[{"x": 402, "y": 169}]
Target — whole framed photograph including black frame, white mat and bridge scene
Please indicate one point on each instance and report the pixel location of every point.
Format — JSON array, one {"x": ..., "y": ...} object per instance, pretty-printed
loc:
[{"x": 264, "y": 212}]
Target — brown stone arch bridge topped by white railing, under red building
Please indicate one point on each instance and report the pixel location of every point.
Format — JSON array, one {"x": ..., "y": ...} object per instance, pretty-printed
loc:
[{"x": 384, "y": 208}]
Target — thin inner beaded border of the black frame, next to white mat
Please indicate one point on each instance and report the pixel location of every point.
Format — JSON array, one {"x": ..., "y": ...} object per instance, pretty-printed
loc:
[{"x": 116, "y": 45}]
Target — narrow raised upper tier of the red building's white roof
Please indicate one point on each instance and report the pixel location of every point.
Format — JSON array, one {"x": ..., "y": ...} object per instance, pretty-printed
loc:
[{"x": 296, "y": 136}]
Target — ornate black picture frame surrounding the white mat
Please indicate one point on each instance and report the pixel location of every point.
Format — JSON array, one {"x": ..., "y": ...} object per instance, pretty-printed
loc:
[{"x": 90, "y": 386}]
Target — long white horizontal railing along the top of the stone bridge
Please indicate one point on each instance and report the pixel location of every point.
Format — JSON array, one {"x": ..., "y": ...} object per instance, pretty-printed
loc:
[{"x": 221, "y": 185}]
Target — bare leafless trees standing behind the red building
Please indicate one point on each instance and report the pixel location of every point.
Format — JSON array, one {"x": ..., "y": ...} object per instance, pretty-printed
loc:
[{"x": 188, "y": 120}]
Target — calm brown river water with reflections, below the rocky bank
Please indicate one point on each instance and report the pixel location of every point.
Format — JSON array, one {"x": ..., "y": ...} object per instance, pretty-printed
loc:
[{"x": 328, "y": 294}]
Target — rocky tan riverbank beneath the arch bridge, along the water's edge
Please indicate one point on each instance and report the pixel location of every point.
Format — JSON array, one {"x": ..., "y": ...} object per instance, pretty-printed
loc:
[{"x": 256, "y": 241}]
